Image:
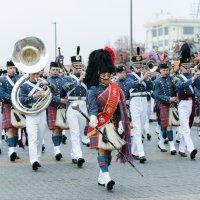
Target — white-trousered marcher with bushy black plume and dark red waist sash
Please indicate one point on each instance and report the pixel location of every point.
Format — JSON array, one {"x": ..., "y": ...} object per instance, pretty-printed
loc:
[{"x": 185, "y": 84}]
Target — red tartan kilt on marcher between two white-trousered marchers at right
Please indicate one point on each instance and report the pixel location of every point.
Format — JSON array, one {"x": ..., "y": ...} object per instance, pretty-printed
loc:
[{"x": 163, "y": 114}]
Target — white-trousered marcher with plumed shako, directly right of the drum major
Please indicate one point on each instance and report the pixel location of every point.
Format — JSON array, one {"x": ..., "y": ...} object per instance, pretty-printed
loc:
[{"x": 138, "y": 105}]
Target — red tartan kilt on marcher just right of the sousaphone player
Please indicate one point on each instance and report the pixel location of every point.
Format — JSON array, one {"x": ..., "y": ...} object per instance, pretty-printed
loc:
[{"x": 51, "y": 117}]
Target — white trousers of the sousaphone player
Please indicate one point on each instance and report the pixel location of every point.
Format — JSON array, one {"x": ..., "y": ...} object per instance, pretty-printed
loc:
[{"x": 35, "y": 125}]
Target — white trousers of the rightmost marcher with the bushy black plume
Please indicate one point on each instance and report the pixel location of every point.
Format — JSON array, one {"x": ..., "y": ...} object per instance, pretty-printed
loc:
[{"x": 185, "y": 109}]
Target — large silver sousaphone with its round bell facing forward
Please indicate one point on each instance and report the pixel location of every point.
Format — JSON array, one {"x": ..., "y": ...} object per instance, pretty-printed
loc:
[{"x": 30, "y": 56}]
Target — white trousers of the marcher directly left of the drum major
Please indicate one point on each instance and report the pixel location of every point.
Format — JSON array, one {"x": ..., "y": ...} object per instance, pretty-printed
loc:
[{"x": 77, "y": 125}]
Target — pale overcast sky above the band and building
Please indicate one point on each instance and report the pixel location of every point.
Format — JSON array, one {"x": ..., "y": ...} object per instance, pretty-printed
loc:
[{"x": 88, "y": 23}]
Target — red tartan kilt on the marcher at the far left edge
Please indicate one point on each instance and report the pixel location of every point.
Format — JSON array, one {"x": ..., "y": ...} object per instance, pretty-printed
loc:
[{"x": 6, "y": 116}]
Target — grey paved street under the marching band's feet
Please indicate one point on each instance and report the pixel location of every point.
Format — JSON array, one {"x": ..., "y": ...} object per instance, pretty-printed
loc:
[{"x": 166, "y": 177}]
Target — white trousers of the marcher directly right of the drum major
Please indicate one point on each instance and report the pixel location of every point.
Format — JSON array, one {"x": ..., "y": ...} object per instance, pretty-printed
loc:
[{"x": 138, "y": 109}]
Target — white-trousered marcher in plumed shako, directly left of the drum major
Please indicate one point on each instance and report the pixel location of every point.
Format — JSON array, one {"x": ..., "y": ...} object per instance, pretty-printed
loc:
[{"x": 76, "y": 92}]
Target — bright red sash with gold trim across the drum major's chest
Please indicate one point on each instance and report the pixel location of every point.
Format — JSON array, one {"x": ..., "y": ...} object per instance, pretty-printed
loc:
[{"x": 112, "y": 97}]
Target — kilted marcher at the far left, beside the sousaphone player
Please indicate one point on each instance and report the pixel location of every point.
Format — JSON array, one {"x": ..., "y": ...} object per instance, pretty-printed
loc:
[{"x": 6, "y": 86}]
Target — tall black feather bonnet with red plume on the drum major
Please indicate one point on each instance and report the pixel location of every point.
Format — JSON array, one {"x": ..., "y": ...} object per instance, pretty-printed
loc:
[{"x": 100, "y": 61}]
